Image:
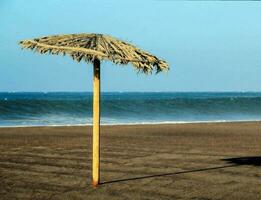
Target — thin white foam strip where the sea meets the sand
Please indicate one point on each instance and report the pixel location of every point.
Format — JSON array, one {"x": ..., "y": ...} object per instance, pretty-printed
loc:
[{"x": 137, "y": 124}]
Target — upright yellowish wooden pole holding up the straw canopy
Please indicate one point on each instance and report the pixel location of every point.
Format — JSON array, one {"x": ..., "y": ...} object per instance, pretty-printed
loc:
[{"x": 96, "y": 124}]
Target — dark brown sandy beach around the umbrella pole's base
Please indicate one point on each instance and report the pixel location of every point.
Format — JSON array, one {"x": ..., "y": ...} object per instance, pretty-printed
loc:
[{"x": 182, "y": 161}]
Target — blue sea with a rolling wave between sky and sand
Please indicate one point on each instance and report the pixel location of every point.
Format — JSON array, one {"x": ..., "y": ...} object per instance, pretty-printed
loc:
[{"x": 64, "y": 108}]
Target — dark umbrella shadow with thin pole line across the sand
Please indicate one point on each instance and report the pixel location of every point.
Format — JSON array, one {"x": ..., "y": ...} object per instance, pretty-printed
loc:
[{"x": 234, "y": 162}]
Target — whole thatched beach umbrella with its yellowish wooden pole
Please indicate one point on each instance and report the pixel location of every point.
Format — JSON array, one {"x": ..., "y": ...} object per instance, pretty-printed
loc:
[{"x": 94, "y": 48}]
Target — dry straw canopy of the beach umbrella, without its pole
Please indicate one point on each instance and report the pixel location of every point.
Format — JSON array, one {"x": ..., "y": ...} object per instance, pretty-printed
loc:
[{"x": 89, "y": 47}]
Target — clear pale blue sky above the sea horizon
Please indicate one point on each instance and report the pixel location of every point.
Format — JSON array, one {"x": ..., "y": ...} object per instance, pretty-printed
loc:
[{"x": 210, "y": 46}]
